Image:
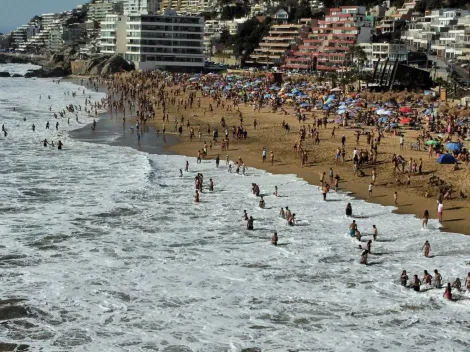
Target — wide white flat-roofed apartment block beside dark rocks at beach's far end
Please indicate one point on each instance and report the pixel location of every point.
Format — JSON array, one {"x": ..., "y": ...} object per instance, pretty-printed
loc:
[{"x": 167, "y": 41}]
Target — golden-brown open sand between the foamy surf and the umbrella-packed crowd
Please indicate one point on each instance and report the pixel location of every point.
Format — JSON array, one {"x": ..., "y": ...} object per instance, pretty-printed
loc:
[{"x": 270, "y": 134}]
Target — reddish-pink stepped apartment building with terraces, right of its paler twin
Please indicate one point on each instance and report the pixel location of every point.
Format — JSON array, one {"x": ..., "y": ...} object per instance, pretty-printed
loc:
[{"x": 328, "y": 44}]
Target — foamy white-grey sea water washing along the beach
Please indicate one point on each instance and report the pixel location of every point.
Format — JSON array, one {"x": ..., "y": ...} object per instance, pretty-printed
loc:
[{"x": 110, "y": 252}]
